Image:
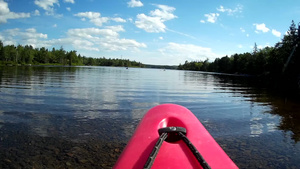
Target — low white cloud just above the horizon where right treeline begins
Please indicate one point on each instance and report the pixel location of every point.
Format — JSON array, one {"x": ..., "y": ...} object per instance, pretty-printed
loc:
[{"x": 179, "y": 53}]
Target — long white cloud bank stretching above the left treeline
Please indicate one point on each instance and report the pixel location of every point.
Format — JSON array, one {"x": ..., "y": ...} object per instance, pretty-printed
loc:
[{"x": 92, "y": 39}]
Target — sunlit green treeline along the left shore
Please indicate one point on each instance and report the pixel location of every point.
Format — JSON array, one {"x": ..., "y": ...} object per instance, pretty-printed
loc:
[{"x": 27, "y": 55}]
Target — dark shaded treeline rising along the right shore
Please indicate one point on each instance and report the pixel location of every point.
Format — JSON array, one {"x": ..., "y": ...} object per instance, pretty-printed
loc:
[{"x": 281, "y": 61}]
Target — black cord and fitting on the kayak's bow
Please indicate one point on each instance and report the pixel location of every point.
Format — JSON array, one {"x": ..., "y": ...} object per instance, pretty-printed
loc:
[{"x": 173, "y": 134}]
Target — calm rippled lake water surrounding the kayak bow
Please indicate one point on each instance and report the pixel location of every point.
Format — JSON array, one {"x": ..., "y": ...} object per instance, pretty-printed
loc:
[{"x": 82, "y": 117}]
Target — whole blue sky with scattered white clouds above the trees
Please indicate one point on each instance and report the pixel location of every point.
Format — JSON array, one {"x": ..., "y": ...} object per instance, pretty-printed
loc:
[{"x": 152, "y": 32}]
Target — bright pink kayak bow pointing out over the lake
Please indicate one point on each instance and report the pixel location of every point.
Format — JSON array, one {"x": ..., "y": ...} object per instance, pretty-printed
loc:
[{"x": 165, "y": 138}]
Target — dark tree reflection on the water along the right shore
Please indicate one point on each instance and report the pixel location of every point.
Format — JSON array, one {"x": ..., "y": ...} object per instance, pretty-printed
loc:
[{"x": 283, "y": 103}]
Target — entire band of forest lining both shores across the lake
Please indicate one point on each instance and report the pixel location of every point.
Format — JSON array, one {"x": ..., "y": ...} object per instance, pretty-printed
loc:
[{"x": 279, "y": 64}]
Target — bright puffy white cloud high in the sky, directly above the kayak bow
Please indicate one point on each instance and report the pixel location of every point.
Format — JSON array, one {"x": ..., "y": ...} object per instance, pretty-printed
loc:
[{"x": 155, "y": 22}]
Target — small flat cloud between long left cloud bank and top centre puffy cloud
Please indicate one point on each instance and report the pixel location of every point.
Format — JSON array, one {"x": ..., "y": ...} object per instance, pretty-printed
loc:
[{"x": 95, "y": 18}]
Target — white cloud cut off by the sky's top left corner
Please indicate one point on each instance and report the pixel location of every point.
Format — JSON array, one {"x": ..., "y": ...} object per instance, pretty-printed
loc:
[{"x": 6, "y": 14}]
